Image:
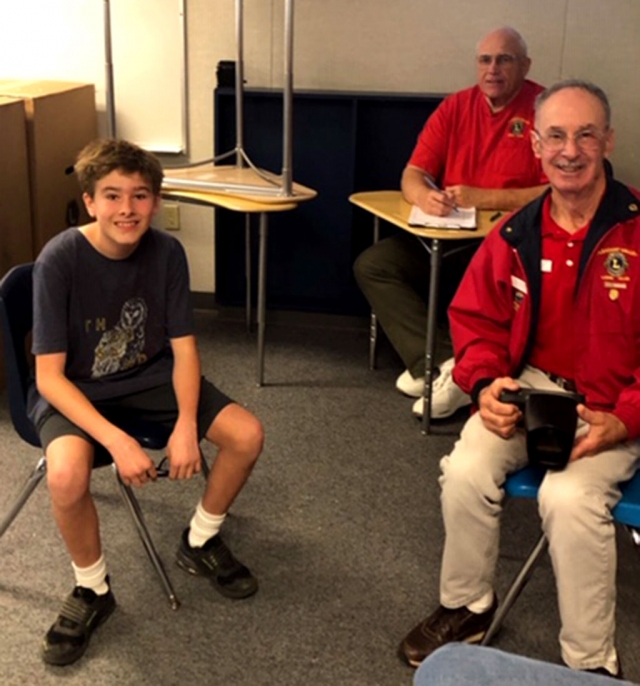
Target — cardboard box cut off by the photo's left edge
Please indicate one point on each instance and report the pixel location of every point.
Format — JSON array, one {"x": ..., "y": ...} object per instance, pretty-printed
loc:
[{"x": 16, "y": 244}]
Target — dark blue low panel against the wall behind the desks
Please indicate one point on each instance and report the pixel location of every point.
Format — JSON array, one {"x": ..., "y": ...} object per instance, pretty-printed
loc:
[{"x": 342, "y": 143}]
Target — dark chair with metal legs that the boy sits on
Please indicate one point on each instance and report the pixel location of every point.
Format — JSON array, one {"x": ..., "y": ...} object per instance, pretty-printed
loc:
[{"x": 16, "y": 320}]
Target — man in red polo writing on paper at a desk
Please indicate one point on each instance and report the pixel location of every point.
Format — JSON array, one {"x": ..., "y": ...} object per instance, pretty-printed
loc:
[{"x": 475, "y": 147}]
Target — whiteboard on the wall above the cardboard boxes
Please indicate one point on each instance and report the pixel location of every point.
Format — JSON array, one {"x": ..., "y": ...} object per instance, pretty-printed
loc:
[{"x": 65, "y": 40}]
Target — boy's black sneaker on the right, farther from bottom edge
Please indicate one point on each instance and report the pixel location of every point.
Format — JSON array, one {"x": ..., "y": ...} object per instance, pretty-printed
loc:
[{"x": 215, "y": 561}]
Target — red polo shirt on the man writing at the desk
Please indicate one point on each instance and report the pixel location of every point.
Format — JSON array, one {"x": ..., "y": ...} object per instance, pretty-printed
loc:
[{"x": 464, "y": 142}]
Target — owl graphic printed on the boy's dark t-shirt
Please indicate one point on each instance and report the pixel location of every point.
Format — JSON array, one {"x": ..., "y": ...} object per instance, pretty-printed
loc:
[{"x": 122, "y": 347}]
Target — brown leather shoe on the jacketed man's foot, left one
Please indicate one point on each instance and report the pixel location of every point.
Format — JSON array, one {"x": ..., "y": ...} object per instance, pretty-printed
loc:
[{"x": 445, "y": 626}]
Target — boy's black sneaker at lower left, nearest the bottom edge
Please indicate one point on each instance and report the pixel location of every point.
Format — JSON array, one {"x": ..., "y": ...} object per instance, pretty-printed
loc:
[{"x": 82, "y": 613}]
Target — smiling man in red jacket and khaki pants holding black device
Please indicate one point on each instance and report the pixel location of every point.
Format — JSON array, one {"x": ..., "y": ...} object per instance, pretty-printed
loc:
[{"x": 549, "y": 301}]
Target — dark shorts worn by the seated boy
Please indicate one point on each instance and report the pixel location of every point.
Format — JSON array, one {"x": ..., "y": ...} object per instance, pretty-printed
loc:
[{"x": 155, "y": 404}]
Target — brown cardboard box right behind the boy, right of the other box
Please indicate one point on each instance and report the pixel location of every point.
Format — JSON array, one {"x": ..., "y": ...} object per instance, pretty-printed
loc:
[{"x": 61, "y": 119}]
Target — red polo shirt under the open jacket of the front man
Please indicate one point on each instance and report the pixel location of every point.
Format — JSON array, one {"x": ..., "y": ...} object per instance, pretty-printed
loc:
[{"x": 554, "y": 349}]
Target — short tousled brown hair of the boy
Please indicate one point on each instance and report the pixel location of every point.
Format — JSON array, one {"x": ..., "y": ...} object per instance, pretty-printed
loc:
[{"x": 104, "y": 155}]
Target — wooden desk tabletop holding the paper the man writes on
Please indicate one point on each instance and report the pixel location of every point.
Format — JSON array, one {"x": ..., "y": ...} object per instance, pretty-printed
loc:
[{"x": 393, "y": 208}]
